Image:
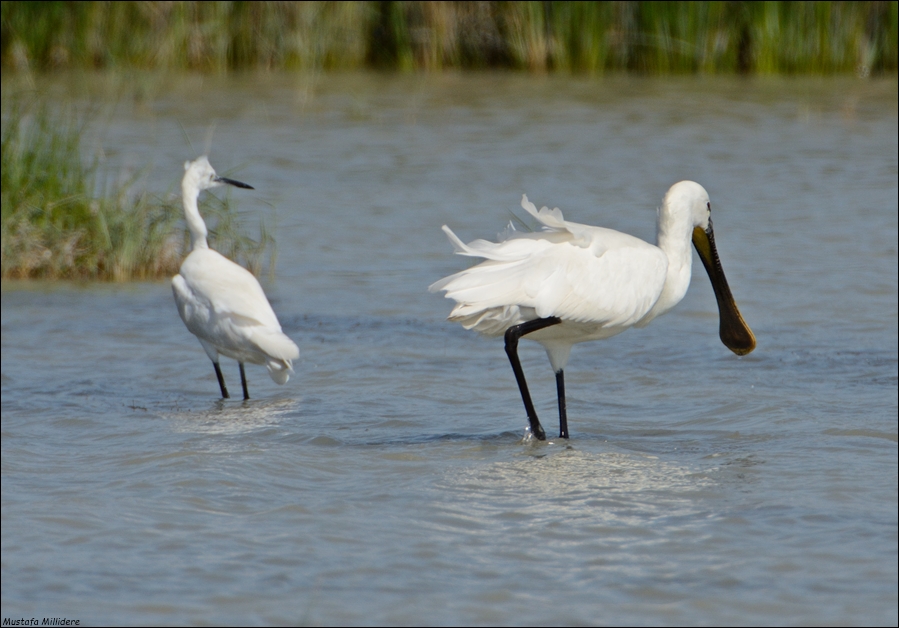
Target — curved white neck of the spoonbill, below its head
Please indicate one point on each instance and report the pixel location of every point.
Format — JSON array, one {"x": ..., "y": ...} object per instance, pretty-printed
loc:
[{"x": 675, "y": 230}]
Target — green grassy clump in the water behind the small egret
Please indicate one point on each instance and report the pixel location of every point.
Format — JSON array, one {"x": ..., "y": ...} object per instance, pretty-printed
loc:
[{"x": 61, "y": 219}]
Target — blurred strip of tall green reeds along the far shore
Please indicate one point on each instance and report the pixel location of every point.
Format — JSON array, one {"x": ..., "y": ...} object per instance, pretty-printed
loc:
[{"x": 594, "y": 37}]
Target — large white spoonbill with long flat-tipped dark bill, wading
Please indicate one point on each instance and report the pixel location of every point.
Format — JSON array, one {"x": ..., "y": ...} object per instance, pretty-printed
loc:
[{"x": 571, "y": 283}]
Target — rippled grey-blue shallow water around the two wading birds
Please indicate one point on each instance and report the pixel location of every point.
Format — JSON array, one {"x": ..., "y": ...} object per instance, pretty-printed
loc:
[{"x": 388, "y": 481}]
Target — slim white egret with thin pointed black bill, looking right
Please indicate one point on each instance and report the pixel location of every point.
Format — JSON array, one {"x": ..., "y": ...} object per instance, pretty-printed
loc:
[{"x": 221, "y": 302}]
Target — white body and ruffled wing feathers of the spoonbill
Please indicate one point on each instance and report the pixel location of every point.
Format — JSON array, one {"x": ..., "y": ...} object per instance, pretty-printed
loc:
[{"x": 579, "y": 273}]
